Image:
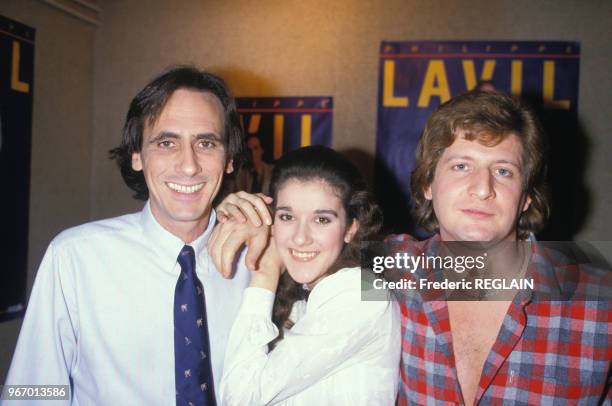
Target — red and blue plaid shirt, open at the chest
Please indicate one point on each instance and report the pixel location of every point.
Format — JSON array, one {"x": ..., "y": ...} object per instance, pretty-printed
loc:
[{"x": 547, "y": 351}]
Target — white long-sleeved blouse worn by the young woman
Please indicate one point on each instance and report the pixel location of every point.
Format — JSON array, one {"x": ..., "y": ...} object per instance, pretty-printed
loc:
[{"x": 341, "y": 350}]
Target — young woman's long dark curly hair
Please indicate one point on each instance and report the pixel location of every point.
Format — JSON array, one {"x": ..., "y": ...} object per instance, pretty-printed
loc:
[{"x": 322, "y": 163}]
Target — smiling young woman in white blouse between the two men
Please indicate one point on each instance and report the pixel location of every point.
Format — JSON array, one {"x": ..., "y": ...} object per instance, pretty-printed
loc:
[{"x": 305, "y": 336}]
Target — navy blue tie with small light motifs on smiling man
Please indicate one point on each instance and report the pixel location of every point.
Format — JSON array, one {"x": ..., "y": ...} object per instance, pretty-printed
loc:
[{"x": 192, "y": 368}]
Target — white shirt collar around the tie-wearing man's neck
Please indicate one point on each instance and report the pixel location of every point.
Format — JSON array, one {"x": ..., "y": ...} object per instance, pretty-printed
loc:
[{"x": 167, "y": 246}]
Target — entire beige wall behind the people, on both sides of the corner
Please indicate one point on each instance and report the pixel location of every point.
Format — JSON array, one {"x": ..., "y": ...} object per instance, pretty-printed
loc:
[{"x": 263, "y": 48}]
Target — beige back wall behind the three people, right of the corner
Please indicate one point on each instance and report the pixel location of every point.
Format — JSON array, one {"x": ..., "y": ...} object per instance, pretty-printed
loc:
[{"x": 320, "y": 47}]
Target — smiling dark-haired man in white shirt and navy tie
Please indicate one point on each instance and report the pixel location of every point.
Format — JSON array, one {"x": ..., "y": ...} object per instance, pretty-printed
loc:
[{"x": 130, "y": 310}]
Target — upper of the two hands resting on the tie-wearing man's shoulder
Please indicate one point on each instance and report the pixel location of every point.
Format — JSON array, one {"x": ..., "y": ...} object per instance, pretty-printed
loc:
[{"x": 242, "y": 206}]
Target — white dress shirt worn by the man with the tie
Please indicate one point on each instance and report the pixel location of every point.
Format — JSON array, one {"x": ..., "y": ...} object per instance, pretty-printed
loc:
[{"x": 101, "y": 317}]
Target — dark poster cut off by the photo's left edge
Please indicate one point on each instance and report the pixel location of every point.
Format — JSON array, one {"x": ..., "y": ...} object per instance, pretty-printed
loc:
[{"x": 16, "y": 87}]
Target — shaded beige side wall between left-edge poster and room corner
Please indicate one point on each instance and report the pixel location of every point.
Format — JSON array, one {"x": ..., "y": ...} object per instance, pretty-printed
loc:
[{"x": 61, "y": 133}]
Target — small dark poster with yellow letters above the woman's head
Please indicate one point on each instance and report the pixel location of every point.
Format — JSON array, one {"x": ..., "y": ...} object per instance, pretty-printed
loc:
[{"x": 287, "y": 123}]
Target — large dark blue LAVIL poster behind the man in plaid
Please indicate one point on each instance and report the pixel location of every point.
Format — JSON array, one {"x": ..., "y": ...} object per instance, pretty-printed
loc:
[{"x": 417, "y": 76}]
